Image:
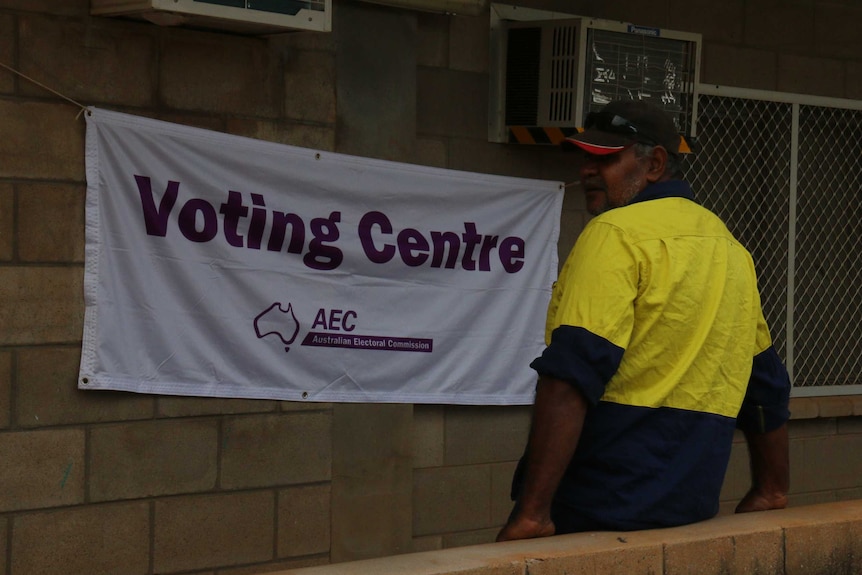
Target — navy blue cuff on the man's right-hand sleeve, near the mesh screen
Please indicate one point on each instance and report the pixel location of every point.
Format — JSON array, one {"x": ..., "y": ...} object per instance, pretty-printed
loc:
[{"x": 767, "y": 398}]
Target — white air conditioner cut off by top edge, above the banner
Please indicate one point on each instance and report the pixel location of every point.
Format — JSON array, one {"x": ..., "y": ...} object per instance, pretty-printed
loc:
[{"x": 241, "y": 16}]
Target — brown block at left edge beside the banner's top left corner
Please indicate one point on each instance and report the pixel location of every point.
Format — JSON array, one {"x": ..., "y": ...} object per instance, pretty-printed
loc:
[{"x": 48, "y": 142}]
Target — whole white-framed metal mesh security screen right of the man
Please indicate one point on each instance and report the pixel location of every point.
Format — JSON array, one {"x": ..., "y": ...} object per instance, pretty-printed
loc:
[{"x": 786, "y": 177}]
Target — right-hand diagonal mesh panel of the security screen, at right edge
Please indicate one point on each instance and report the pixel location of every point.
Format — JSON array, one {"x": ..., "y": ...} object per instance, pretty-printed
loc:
[{"x": 828, "y": 298}]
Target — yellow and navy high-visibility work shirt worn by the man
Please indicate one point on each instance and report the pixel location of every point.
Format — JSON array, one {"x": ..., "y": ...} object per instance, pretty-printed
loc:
[{"x": 656, "y": 318}]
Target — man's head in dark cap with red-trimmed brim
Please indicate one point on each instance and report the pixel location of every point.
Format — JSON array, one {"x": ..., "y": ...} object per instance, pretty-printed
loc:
[{"x": 625, "y": 147}]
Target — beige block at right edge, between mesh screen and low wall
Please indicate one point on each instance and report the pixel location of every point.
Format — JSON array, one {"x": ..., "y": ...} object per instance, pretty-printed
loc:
[{"x": 831, "y": 463}]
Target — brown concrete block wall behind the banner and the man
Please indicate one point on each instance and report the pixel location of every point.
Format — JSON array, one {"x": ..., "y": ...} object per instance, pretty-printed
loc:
[{"x": 100, "y": 482}]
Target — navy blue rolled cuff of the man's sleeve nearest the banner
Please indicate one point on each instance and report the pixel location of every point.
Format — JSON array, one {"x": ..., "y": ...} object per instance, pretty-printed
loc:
[{"x": 582, "y": 358}]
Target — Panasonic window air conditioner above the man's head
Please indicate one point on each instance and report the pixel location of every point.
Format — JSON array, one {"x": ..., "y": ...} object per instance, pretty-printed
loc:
[{"x": 549, "y": 70}]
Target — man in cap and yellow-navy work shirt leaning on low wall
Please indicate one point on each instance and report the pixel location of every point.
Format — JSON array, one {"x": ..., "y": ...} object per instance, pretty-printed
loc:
[{"x": 656, "y": 350}]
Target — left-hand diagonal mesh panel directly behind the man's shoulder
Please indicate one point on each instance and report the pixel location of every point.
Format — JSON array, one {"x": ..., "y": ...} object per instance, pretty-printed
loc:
[{"x": 741, "y": 171}]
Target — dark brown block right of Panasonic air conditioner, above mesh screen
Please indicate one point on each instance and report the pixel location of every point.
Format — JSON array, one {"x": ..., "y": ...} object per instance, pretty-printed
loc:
[{"x": 739, "y": 66}]
